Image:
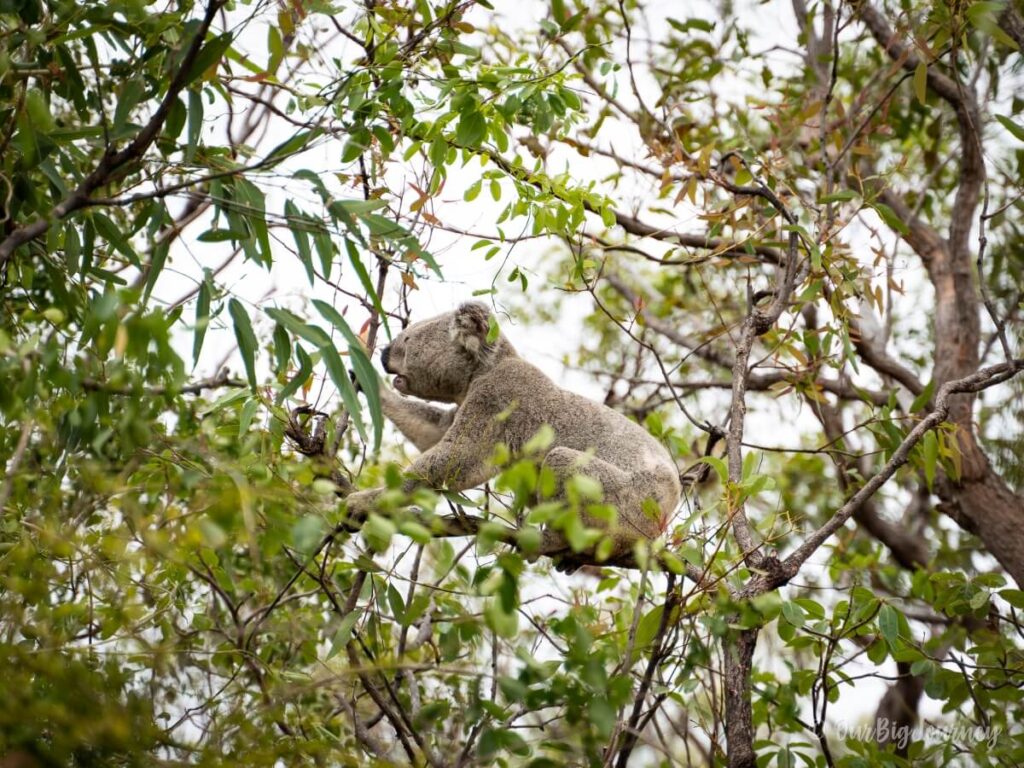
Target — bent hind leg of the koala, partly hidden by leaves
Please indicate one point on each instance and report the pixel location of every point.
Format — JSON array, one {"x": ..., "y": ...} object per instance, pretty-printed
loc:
[{"x": 621, "y": 490}]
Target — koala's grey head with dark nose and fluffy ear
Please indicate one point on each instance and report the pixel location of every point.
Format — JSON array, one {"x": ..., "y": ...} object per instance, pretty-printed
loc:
[{"x": 438, "y": 359}]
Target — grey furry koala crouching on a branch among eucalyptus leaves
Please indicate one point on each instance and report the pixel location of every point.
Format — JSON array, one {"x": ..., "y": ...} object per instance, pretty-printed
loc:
[{"x": 500, "y": 398}]
